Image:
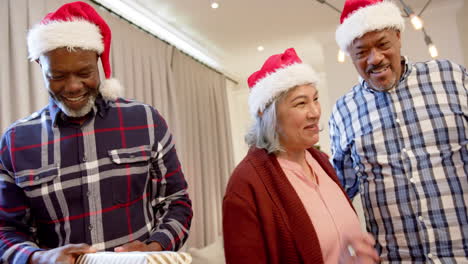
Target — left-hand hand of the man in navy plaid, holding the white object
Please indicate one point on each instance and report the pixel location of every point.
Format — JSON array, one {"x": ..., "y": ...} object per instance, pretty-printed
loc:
[{"x": 61, "y": 255}]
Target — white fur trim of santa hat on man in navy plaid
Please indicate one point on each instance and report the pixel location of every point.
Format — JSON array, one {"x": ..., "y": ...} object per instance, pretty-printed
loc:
[{"x": 57, "y": 34}]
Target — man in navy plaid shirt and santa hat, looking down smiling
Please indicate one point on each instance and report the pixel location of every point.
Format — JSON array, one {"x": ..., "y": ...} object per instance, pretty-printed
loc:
[{"x": 90, "y": 171}]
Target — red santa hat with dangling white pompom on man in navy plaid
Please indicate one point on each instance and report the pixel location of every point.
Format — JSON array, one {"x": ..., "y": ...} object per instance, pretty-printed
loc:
[{"x": 75, "y": 25}]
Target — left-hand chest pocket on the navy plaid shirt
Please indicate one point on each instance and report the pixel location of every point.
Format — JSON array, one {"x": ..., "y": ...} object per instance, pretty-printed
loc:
[{"x": 38, "y": 185}]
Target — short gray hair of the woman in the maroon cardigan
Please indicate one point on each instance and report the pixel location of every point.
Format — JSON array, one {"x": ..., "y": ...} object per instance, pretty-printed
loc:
[{"x": 263, "y": 132}]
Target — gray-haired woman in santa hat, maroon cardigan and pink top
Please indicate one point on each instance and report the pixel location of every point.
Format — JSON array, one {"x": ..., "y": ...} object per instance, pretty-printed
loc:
[{"x": 283, "y": 203}]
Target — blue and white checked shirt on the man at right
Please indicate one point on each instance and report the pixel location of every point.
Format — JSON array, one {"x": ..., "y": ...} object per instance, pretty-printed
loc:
[{"x": 406, "y": 152}]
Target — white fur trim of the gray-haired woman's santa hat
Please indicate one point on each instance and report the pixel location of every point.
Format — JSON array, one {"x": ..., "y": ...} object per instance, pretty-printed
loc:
[{"x": 279, "y": 81}]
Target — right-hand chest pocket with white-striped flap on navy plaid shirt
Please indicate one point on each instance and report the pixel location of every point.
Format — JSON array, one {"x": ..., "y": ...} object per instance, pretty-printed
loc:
[{"x": 130, "y": 173}]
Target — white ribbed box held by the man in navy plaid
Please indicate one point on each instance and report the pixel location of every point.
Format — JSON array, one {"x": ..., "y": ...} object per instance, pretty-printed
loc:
[{"x": 160, "y": 257}]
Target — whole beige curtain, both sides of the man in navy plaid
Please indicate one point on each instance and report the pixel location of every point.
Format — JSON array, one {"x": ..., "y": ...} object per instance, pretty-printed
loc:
[{"x": 191, "y": 97}]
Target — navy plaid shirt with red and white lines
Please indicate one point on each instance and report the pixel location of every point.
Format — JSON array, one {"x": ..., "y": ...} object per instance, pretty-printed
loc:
[{"x": 112, "y": 180}]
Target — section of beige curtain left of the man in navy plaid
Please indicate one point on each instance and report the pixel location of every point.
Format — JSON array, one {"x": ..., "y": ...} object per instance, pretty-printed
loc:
[{"x": 20, "y": 93}]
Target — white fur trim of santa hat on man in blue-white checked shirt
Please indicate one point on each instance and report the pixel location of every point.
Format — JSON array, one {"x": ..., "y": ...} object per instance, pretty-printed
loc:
[{"x": 375, "y": 17}]
